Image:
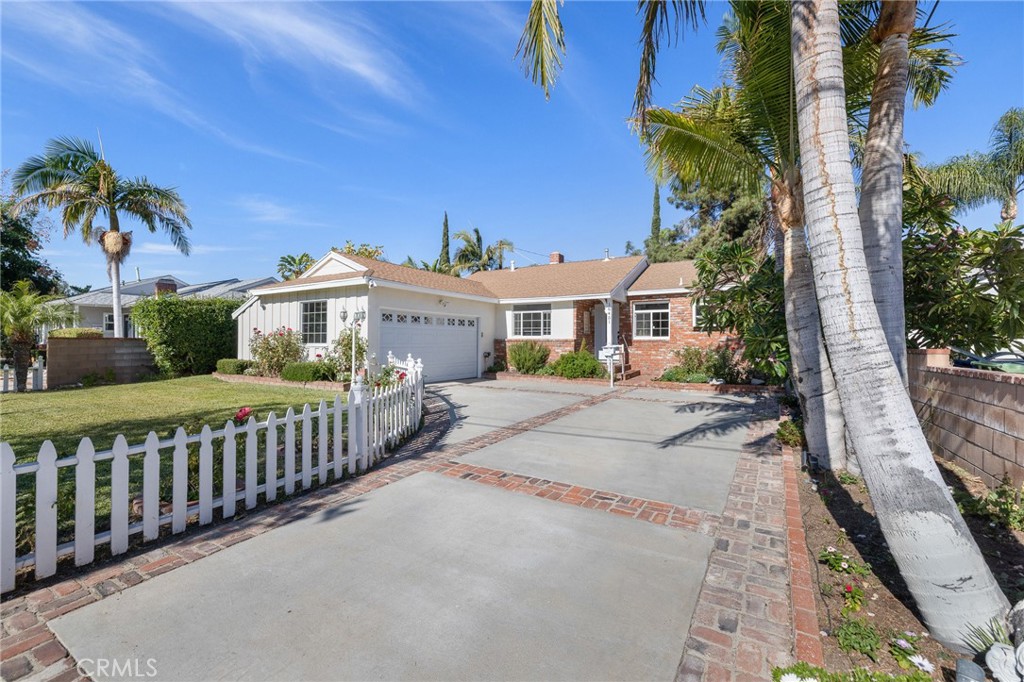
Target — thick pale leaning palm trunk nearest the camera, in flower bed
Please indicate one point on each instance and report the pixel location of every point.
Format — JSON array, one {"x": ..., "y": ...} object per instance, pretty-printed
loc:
[{"x": 937, "y": 557}]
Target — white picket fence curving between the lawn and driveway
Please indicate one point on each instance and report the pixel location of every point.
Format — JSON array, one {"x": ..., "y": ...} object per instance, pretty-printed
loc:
[{"x": 374, "y": 420}]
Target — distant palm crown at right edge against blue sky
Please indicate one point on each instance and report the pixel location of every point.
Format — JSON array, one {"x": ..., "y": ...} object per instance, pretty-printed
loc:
[{"x": 998, "y": 176}]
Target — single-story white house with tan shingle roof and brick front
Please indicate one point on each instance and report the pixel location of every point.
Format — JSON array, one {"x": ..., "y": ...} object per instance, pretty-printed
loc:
[{"x": 460, "y": 326}]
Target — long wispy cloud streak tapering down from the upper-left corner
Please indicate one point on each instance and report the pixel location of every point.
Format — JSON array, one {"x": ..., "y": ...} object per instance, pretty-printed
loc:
[{"x": 89, "y": 54}]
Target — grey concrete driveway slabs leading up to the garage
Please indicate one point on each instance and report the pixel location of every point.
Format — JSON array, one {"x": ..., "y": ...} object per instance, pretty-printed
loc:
[{"x": 440, "y": 578}]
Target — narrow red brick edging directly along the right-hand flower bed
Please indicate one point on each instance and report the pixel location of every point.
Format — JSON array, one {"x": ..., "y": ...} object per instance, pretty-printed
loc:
[{"x": 806, "y": 630}]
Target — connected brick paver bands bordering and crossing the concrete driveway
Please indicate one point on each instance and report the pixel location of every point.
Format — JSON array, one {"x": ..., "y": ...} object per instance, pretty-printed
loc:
[{"x": 738, "y": 630}]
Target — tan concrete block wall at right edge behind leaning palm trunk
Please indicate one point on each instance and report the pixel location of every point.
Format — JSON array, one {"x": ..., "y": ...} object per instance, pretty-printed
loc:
[{"x": 974, "y": 418}]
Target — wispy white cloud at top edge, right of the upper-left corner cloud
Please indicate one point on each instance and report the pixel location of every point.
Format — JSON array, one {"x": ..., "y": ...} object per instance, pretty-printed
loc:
[{"x": 311, "y": 39}]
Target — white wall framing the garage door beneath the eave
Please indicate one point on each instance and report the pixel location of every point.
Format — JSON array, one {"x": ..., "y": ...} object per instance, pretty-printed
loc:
[{"x": 387, "y": 299}]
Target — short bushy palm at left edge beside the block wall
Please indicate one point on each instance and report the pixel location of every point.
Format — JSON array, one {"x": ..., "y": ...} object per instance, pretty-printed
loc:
[{"x": 23, "y": 311}]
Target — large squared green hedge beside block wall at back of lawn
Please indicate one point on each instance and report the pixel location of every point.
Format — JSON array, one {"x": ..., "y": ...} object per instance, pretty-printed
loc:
[{"x": 187, "y": 335}]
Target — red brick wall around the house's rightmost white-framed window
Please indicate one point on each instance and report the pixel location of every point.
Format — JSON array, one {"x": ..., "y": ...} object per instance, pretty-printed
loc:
[{"x": 654, "y": 357}]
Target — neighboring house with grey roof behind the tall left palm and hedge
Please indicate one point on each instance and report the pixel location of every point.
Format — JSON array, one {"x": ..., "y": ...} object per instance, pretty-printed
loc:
[{"x": 96, "y": 309}]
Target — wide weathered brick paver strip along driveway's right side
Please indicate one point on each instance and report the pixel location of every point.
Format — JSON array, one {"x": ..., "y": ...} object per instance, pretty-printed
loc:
[{"x": 743, "y": 624}]
